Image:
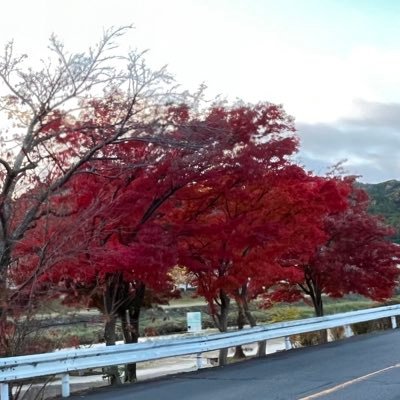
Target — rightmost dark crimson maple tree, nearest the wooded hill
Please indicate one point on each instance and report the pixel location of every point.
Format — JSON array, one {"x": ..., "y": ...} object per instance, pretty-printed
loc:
[{"x": 356, "y": 256}]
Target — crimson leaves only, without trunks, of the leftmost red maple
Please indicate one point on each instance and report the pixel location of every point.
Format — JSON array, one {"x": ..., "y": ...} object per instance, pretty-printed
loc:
[{"x": 110, "y": 217}]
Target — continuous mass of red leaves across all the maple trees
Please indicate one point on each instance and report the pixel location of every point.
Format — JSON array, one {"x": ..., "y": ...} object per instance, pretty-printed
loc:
[{"x": 217, "y": 194}]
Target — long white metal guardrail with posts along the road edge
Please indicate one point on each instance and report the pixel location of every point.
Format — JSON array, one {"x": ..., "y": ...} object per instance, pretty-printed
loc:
[{"x": 65, "y": 361}]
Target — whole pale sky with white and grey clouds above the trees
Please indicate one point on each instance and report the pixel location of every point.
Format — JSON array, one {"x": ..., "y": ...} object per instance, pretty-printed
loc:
[{"x": 333, "y": 64}]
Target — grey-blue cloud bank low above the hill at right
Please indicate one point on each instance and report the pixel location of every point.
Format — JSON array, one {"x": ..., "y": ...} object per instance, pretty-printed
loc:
[{"x": 369, "y": 142}]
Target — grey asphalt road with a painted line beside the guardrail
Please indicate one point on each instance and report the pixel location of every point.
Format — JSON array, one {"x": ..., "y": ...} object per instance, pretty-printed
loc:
[{"x": 364, "y": 367}]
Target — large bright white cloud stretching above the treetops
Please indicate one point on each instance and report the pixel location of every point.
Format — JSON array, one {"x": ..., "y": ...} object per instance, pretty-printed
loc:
[{"x": 226, "y": 47}]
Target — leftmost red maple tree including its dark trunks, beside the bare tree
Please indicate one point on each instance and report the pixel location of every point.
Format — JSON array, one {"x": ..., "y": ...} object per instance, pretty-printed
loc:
[{"x": 114, "y": 208}]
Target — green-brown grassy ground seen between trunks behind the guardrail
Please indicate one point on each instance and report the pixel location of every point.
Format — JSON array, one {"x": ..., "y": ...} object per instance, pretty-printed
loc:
[{"x": 66, "y": 323}]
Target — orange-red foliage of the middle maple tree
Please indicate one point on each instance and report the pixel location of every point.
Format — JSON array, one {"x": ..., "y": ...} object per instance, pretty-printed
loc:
[{"x": 235, "y": 216}]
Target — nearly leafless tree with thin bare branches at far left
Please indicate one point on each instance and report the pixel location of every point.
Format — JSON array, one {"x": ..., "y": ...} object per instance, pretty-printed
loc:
[{"x": 58, "y": 104}]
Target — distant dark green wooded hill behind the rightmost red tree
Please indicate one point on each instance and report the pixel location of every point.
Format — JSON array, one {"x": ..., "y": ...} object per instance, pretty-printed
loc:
[{"x": 385, "y": 200}]
